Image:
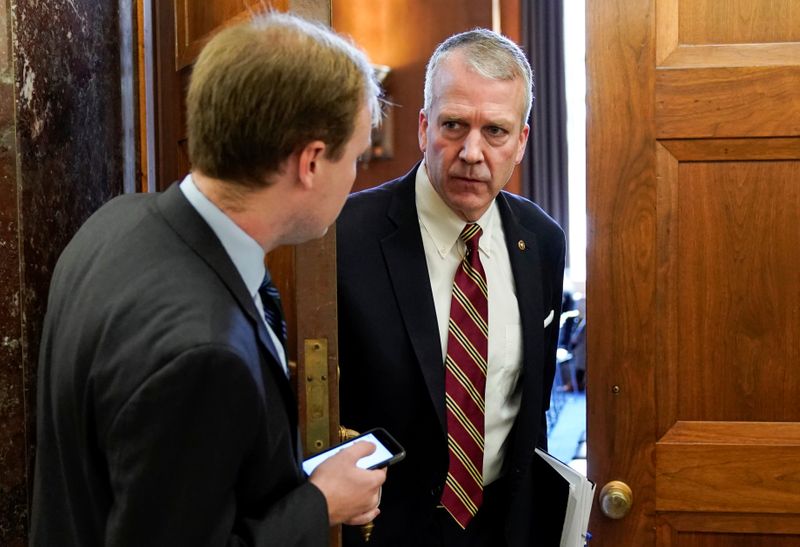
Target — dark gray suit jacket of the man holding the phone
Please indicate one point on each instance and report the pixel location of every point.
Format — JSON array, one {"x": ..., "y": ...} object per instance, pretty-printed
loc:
[{"x": 163, "y": 417}]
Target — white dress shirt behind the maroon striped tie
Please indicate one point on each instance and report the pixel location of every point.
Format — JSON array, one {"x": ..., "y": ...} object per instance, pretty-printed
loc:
[{"x": 440, "y": 228}]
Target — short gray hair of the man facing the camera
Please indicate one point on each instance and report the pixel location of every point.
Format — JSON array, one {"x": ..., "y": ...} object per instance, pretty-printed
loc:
[{"x": 491, "y": 55}]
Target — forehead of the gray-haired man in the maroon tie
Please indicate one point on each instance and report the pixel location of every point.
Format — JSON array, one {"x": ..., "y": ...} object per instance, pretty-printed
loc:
[{"x": 458, "y": 89}]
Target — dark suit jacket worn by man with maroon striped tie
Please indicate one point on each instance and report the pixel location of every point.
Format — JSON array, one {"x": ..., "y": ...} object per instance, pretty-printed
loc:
[{"x": 392, "y": 373}]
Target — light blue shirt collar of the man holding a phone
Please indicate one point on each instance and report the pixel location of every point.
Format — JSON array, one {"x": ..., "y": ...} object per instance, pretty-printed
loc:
[{"x": 244, "y": 251}]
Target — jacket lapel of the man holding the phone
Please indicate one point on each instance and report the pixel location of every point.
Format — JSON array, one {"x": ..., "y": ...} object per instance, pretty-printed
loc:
[{"x": 191, "y": 227}]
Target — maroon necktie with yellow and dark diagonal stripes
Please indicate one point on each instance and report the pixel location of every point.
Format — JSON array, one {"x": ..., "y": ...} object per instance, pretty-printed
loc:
[{"x": 465, "y": 383}]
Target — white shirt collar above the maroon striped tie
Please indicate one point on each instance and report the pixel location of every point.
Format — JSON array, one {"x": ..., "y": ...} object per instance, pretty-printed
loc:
[{"x": 441, "y": 223}]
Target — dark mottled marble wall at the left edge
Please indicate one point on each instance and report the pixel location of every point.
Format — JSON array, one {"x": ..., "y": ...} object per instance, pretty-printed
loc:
[{"x": 60, "y": 159}]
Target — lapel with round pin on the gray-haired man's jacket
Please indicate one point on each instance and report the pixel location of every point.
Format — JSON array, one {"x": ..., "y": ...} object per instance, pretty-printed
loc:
[{"x": 523, "y": 253}]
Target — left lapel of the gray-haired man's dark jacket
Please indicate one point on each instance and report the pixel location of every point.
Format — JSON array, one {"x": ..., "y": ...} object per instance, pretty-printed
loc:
[{"x": 408, "y": 270}]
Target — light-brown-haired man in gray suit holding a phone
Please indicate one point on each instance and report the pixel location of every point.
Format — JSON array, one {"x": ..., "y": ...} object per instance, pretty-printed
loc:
[{"x": 165, "y": 412}]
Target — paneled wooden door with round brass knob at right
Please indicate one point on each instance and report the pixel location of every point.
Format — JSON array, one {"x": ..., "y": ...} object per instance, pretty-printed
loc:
[{"x": 694, "y": 244}]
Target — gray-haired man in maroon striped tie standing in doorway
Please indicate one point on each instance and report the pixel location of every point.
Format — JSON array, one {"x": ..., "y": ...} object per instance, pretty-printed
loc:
[{"x": 449, "y": 310}]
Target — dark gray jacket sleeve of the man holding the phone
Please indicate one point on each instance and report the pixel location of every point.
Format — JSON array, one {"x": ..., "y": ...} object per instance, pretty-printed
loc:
[{"x": 175, "y": 451}]
